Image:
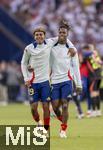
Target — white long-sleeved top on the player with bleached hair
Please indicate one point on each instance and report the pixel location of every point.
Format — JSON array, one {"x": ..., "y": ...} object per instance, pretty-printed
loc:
[{"x": 37, "y": 56}]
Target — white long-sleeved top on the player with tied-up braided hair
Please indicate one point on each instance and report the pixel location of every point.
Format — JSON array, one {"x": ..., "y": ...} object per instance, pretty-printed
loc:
[{"x": 62, "y": 64}]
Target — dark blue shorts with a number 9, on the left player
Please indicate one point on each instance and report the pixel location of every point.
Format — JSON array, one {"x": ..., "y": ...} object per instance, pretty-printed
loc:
[{"x": 39, "y": 92}]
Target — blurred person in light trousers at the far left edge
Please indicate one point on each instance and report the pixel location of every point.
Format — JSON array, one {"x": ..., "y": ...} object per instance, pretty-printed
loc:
[{"x": 3, "y": 83}]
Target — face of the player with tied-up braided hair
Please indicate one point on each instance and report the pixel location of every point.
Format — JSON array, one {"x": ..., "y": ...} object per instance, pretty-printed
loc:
[{"x": 63, "y": 33}]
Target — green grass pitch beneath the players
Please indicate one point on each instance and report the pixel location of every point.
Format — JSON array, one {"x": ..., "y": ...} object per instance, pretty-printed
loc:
[{"x": 84, "y": 134}]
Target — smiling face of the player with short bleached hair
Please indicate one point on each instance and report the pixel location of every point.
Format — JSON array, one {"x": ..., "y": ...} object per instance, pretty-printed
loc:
[{"x": 39, "y": 37}]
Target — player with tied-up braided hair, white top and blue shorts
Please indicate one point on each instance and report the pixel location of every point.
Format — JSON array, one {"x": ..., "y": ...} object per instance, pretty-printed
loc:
[{"x": 63, "y": 54}]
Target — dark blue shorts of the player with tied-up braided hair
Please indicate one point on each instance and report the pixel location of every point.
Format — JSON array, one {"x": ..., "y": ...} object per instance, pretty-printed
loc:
[{"x": 61, "y": 90}]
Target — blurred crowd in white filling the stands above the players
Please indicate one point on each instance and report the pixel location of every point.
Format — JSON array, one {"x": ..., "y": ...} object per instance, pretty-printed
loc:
[{"x": 85, "y": 17}]
